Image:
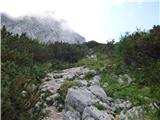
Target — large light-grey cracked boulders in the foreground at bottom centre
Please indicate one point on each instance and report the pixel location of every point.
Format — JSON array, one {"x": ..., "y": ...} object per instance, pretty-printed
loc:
[{"x": 83, "y": 100}]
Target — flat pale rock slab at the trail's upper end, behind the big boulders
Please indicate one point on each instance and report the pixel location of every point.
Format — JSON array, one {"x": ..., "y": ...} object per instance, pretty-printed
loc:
[{"x": 54, "y": 80}]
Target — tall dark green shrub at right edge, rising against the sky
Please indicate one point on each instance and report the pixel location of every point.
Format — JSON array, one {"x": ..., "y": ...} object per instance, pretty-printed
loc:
[{"x": 140, "y": 51}]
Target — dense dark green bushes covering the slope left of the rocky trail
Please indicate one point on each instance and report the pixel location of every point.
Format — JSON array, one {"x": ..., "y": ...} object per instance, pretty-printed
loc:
[{"x": 25, "y": 63}]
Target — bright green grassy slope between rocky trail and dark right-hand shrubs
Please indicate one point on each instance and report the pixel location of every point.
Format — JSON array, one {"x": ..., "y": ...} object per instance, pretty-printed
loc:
[{"x": 136, "y": 93}]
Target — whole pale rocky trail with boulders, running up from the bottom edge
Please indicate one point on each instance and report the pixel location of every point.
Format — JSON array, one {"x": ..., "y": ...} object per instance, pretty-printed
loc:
[{"x": 86, "y": 102}]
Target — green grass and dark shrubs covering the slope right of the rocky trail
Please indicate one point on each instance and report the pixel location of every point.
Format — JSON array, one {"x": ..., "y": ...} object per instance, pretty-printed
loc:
[{"x": 137, "y": 55}]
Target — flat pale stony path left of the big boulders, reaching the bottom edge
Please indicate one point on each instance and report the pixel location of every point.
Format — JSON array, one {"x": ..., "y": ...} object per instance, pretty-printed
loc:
[{"x": 52, "y": 83}]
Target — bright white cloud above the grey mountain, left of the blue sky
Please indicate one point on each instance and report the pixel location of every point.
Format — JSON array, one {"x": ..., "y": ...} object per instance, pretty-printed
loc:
[{"x": 83, "y": 16}]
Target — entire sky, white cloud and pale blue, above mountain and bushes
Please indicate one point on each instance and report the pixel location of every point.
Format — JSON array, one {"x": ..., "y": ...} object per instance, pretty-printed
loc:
[{"x": 98, "y": 20}]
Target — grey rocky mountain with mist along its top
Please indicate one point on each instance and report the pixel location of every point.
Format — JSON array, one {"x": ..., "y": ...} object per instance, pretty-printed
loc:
[{"x": 43, "y": 28}]
